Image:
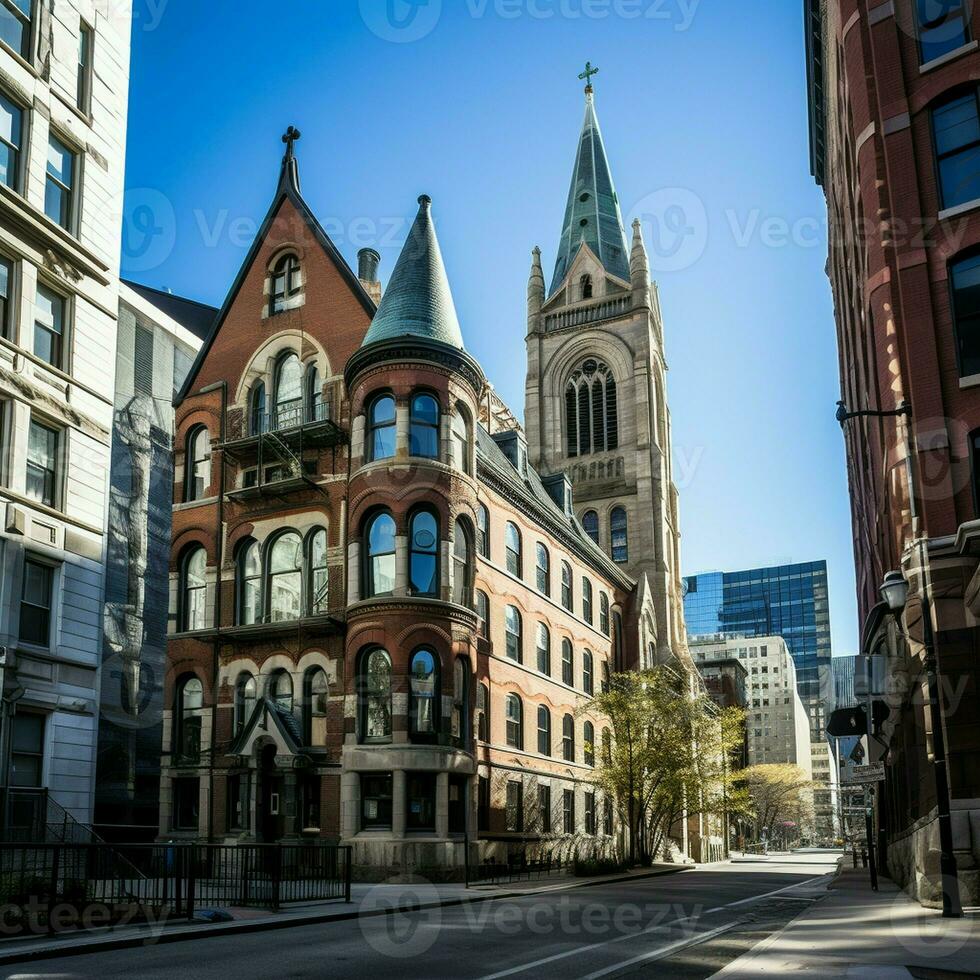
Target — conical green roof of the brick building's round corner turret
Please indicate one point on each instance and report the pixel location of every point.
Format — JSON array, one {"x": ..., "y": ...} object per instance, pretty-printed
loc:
[{"x": 418, "y": 301}]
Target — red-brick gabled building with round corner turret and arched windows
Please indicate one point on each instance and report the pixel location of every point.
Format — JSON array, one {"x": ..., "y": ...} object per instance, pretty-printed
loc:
[{"x": 385, "y": 624}]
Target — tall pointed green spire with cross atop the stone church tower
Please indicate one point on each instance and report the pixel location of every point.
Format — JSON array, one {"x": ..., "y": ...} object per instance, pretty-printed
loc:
[{"x": 592, "y": 213}]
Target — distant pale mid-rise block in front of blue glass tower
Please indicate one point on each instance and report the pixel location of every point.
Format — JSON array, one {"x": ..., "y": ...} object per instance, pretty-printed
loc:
[{"x": 776, "y": 721}]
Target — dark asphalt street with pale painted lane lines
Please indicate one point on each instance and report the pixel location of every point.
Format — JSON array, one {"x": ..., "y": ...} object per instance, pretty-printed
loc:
[{"x": 688, "y": 925}]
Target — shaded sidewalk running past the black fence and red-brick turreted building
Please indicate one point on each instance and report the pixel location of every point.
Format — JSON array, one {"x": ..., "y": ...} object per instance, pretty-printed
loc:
[{"x": 366, "y": 900}]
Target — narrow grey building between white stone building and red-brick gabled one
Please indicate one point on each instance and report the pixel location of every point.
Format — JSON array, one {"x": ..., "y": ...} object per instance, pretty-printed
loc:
[{"x": 159, "y": 336}]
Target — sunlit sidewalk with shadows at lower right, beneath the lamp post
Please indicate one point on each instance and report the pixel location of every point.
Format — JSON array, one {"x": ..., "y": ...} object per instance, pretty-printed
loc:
[{"x": 855, "y": 932}]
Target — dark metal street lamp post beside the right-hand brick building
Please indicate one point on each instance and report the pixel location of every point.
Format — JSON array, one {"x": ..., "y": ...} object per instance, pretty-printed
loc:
[{"x": 894, "y": 591}]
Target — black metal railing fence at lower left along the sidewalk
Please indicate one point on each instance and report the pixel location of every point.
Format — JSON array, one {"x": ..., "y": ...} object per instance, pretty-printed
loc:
[{"x": 170, "y": 878}]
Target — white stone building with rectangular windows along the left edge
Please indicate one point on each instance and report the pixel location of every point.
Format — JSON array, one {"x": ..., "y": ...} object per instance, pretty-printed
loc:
[{"x": 64, "y": 77}]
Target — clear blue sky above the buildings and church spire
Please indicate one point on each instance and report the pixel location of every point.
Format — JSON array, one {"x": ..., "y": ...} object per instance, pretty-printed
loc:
[{"x": 477, "y": 103}]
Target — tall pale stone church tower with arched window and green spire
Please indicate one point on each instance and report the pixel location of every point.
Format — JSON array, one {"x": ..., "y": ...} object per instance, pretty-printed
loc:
[{"x": 595, "y": 399}]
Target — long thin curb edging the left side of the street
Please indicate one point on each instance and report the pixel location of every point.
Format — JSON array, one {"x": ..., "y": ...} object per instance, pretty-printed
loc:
[{"x": 79, "y": 946}]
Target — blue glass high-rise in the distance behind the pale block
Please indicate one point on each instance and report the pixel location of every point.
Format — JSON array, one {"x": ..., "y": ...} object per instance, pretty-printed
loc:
[{"x": 785, "y": 600}]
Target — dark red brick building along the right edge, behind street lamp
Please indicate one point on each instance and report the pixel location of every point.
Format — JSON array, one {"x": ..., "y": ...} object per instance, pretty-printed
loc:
[{"x": 895, "y": 129}]
